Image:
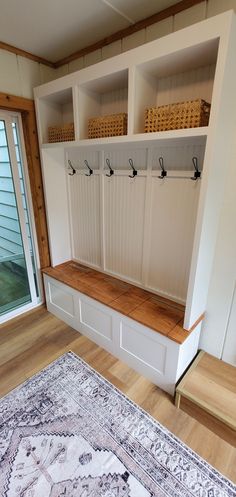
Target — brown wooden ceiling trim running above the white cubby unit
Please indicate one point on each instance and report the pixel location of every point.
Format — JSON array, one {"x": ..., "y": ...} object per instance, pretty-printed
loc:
[{"x": 169, "y": 11}]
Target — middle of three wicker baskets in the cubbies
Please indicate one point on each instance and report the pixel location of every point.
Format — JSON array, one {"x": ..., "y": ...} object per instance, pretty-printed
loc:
[{"x": 113, "y": 125}]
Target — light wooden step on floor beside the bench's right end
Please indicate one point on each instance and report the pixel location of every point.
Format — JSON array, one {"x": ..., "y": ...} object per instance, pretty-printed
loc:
[{"x": 208, "y": 392}]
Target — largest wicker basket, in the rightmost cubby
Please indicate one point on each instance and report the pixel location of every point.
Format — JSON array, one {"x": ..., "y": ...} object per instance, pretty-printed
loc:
[{"x": 191, "y": 114}]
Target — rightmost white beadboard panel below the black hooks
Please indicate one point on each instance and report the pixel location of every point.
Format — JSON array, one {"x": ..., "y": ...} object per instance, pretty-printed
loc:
[{"x": 172, "y": 224}]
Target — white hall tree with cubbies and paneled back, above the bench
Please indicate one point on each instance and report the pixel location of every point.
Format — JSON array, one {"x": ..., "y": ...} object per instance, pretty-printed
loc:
[{"x": 156, "y": 233}]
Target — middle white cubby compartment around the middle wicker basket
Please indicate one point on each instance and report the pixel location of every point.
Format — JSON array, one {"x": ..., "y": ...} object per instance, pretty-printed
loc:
[{"x": 105, "y": 96}]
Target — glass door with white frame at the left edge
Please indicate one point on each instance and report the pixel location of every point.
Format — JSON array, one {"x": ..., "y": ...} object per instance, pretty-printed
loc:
[{"x": 18, "y": 280}]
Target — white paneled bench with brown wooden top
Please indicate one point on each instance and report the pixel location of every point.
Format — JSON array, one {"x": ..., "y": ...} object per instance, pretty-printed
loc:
[{"x": 142, "y": 329}]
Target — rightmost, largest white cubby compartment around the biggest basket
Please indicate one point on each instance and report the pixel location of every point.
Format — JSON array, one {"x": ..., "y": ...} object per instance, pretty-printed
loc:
[{"x": 178, "y": 77}]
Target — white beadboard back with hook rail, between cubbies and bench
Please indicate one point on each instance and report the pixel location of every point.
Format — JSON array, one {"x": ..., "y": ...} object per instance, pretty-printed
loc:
[{"x": 140, "y": 230}]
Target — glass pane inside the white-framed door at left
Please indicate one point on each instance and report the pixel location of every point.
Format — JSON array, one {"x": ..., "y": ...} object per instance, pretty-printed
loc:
[{"x": 14, "y": 284}]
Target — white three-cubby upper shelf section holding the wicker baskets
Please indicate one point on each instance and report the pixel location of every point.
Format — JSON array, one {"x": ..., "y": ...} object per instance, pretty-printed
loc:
[{"x": 177, "y": 68}]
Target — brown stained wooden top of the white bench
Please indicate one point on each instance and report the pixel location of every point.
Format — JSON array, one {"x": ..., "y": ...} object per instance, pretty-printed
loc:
[{"x": 159, "y": 314}]
